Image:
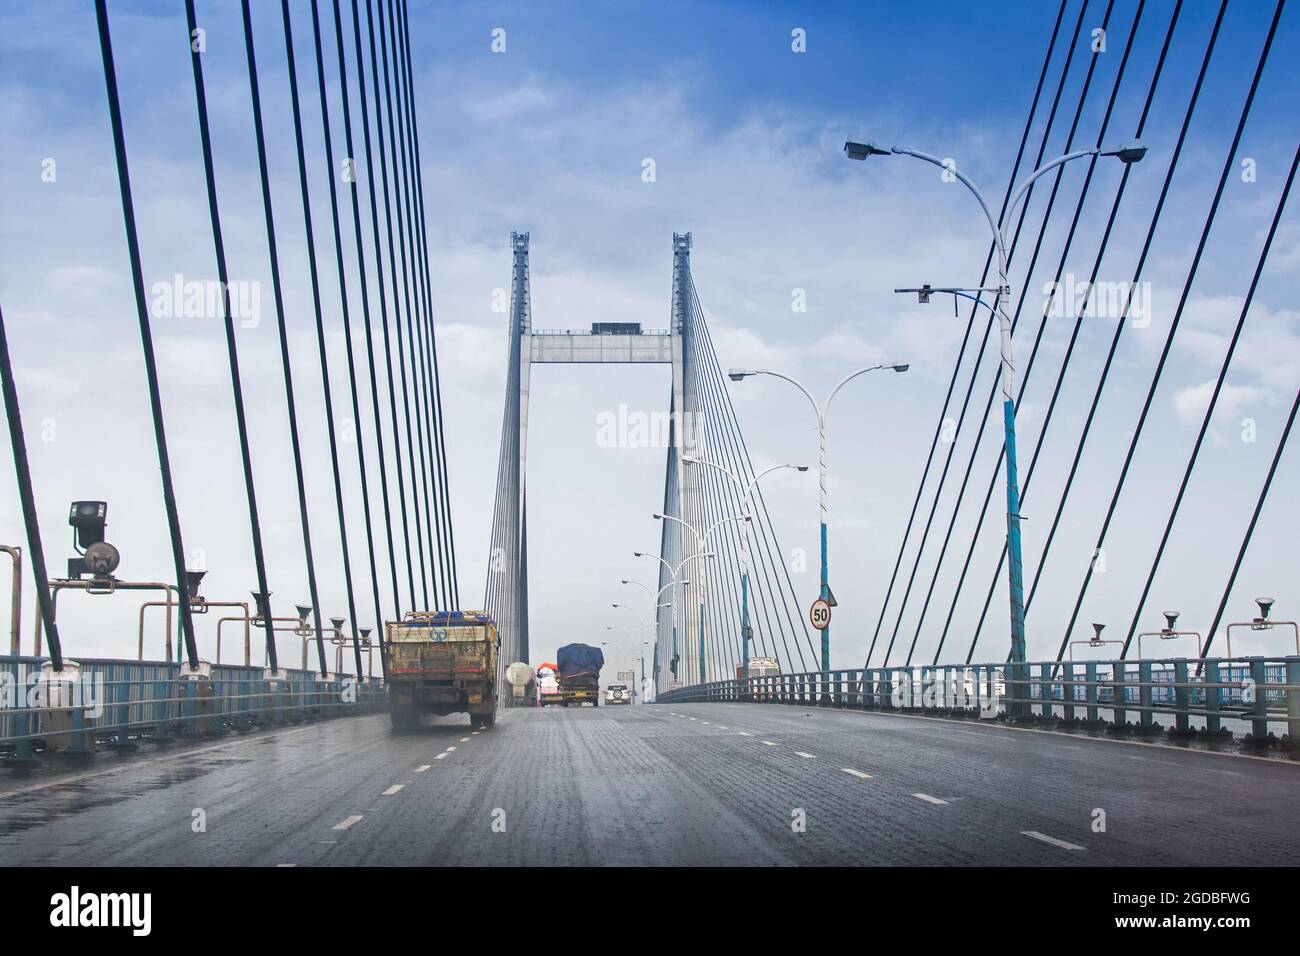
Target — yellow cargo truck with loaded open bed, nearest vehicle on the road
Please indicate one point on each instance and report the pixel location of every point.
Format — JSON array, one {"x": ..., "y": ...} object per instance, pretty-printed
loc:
[{"x": 443, "y": 664}]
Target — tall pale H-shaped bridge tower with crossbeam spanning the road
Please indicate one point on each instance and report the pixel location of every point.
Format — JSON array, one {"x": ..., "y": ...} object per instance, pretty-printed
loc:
[{"x": 506, "y": 595}]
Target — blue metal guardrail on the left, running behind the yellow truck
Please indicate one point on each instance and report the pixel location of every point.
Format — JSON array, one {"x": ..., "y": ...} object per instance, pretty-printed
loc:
[{"x": 116, "y": 703}]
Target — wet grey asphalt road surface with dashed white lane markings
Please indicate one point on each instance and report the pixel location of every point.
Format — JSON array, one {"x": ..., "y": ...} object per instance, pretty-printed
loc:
[{"x": 660, "y": 785}]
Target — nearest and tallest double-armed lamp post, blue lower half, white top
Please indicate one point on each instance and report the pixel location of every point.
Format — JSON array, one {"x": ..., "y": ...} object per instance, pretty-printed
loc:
[{"x": 1126, "y": 154}]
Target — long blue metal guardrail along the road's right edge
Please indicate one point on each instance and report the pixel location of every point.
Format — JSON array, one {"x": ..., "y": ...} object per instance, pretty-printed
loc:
[{"x": 1219, "y": 697}]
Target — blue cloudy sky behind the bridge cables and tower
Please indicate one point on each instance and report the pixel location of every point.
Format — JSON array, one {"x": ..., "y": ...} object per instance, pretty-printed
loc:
[{"x": 551, "y": 136}]
